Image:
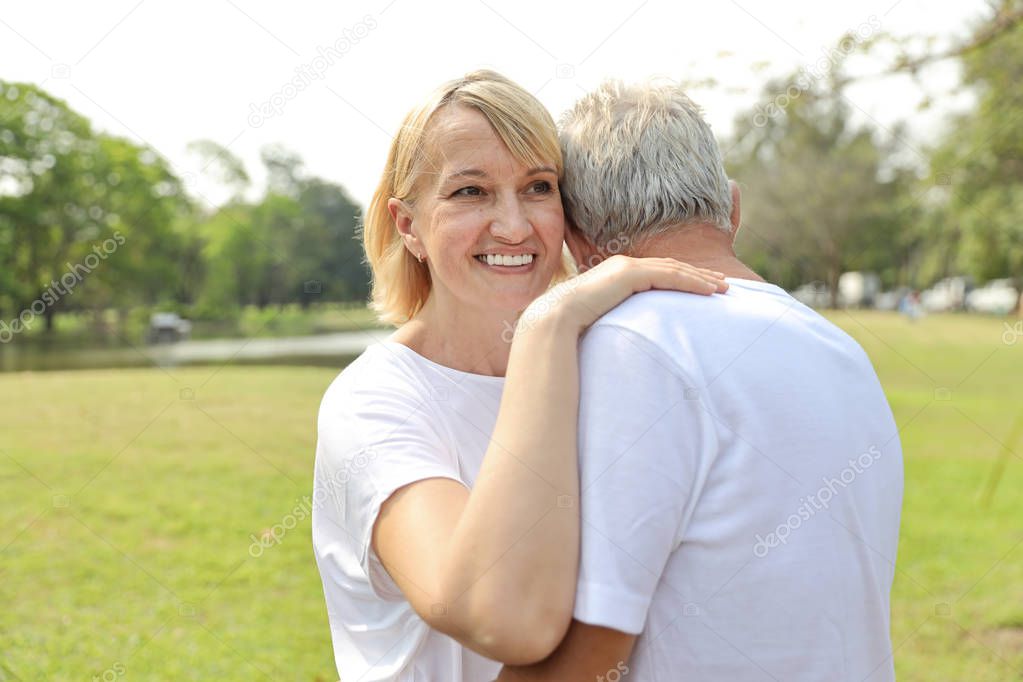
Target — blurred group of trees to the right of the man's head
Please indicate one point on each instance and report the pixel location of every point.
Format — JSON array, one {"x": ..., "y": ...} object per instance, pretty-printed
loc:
[{"x": 824, "y": 196}]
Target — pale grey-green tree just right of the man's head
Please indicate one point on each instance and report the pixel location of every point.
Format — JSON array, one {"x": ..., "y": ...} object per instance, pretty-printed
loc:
[{"x": 821, "y": 196}]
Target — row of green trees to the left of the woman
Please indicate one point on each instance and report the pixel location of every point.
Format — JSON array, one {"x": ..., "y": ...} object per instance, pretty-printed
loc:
[{"x": 71, "y": 197}]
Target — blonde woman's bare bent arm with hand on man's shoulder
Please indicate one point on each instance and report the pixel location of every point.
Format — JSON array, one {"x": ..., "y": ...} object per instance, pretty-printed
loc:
[{"x": 496, "y": 567}]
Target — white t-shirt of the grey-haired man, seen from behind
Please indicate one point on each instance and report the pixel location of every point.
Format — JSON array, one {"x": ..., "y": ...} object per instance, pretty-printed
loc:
[{"x": 742, "y": 485}]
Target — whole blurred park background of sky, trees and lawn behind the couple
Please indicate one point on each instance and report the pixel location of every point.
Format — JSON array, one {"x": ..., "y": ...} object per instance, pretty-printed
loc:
[{"x": 181, "y": 280}]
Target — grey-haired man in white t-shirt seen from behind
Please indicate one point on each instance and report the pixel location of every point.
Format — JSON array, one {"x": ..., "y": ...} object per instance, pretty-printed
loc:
[{"x": 741, "y": 471}]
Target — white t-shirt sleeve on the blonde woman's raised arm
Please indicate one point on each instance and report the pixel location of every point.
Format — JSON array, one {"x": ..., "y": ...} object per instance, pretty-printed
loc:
[{"x": 372, "y": 442}]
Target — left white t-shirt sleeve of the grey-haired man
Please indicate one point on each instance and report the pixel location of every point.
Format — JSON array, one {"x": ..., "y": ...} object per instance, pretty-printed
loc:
[{"x": 645, "y": 443}]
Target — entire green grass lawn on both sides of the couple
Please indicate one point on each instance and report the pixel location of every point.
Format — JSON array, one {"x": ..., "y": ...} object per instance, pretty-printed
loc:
[{"x": 129, "y": 497}]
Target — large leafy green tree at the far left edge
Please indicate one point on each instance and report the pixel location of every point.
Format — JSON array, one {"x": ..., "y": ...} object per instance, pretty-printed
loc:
[{"x": 70, "y": 198}]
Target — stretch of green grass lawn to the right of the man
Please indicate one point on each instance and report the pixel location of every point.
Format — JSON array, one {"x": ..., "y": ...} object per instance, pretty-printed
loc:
[{"x": 957, "y": 390}]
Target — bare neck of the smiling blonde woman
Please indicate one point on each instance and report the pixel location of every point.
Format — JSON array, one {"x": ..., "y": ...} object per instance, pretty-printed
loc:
[{"x": 470, "y": 341}]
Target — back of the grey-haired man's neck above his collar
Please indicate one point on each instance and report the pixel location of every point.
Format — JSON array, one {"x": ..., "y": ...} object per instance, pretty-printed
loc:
[{"x": 700, "y": 246}]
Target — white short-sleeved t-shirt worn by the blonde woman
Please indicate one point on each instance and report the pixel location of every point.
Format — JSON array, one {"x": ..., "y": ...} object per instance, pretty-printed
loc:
[{"x": 391, "y": 419}]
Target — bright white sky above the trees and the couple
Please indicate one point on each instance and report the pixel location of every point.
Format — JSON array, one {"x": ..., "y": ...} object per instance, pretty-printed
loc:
[{"x": 167, "y": 73}]
